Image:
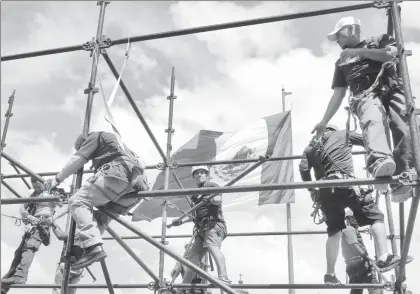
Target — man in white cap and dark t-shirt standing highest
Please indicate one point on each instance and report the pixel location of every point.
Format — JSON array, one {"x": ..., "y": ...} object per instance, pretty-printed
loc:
[{"x": 373, "y": 103}]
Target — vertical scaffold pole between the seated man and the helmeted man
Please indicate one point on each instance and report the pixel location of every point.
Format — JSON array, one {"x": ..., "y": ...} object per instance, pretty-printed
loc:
[{"x": 170, "y": 132}]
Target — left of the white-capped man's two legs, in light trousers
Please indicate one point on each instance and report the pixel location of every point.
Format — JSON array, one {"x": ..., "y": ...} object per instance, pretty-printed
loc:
[{"x": 373, "y": 121}]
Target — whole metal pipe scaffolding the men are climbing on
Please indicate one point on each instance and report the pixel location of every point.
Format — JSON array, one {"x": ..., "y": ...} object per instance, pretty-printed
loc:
[{"x": 98, "y": 46}]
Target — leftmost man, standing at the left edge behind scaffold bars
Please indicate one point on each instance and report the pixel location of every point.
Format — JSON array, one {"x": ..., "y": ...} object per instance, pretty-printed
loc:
[{"x": 38, "y": 219}]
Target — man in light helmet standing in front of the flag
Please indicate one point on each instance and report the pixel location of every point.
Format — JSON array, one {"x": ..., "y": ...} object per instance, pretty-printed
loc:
[{"x": 210, "y": 228}]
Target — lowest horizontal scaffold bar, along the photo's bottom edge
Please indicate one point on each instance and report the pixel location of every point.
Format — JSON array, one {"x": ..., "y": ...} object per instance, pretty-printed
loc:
[{"x": 203, "y": 286}]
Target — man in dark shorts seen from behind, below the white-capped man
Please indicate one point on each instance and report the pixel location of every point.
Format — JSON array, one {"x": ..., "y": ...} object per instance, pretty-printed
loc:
[{"x": 331, "y": 159}]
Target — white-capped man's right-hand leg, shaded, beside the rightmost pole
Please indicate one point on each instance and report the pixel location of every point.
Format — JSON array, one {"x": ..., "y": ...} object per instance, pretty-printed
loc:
[{"x": 403, "y": 152}]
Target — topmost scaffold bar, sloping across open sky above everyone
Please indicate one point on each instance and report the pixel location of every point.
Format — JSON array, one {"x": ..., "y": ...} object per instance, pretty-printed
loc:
[{"x": 202, "y": 29}]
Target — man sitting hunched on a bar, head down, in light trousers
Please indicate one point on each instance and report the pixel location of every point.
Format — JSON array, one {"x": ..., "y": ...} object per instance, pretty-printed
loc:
[{"x": 117, "y": 172}]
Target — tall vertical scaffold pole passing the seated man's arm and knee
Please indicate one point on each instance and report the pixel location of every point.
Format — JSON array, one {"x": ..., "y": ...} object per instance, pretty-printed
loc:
[{"x": 90, "y": 91}]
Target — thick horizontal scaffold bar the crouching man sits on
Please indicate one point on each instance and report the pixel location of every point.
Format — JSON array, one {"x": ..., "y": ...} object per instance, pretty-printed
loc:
[{"x": 233, "y": 189}]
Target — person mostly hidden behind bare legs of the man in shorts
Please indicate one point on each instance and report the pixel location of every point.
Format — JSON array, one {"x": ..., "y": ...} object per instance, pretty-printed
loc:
[{"x": 359, "y": 267}]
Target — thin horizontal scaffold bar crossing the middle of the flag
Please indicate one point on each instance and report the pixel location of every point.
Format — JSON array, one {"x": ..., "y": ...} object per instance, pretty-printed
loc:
[{"x": 184, "y": 164}]
